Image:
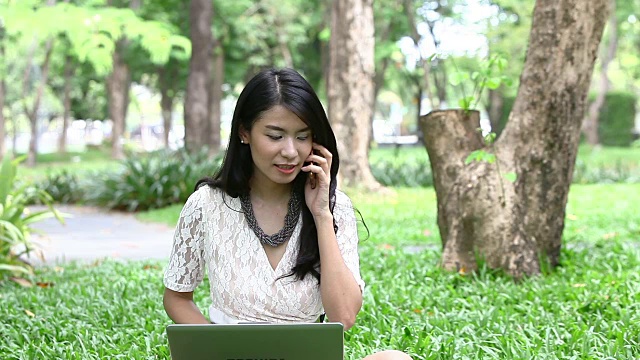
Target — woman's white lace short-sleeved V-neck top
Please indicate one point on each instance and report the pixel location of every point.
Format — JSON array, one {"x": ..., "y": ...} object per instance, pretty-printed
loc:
[{"x": 212, "y": 233}]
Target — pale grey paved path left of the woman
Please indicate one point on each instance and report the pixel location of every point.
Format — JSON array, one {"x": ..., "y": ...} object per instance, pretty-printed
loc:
[{"x": 92, "y": 233}]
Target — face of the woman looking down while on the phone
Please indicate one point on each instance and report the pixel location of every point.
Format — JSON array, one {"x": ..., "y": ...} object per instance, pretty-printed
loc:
[{"x": 280, "y": 142}]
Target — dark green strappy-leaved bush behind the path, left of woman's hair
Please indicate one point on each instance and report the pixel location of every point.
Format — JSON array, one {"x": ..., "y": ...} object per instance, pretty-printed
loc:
[{"x": 151, "y": 182}]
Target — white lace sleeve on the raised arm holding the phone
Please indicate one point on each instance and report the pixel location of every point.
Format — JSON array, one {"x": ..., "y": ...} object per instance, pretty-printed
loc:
[{"x": 347, "y": 235}]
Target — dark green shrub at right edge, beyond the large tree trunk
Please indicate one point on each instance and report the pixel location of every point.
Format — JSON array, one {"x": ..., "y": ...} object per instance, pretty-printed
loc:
[{"x": 616, "y": 119}]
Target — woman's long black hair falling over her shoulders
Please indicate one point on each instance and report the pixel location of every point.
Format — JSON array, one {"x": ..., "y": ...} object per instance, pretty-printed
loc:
[{"x": 285, "y": 87}]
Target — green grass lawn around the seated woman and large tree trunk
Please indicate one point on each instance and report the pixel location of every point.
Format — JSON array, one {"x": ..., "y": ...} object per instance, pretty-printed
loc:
[{"x": 588, "y": 308}]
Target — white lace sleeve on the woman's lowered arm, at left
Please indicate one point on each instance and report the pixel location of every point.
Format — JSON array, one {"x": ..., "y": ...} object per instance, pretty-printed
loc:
[{"x": 186, "y": 265}]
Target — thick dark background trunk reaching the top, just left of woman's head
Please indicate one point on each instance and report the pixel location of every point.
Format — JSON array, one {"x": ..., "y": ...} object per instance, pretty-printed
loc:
[{"x": 196, "y": 107}]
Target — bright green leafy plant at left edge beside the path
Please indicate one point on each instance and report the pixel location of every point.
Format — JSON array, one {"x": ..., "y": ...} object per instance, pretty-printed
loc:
[{"x": 16, "y": 220}]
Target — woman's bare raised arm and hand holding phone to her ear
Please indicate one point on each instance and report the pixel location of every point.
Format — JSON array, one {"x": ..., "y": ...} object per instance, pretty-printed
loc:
[{"x": 341, "y": 294}]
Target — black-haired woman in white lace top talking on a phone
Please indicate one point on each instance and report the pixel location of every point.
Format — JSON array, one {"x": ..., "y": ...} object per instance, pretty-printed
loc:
[{"x": 278, "y": 177}]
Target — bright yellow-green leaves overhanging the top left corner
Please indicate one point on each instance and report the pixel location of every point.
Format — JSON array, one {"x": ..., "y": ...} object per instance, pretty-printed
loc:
[{"x": 93, "y": 32}]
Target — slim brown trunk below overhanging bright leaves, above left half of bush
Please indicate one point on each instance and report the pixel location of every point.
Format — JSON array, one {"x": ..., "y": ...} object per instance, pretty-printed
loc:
[{"x": 118, "y": 83}]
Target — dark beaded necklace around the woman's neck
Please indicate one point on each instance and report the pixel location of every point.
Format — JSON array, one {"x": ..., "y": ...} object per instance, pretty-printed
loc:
[{"x": 290, "y": 220}]
